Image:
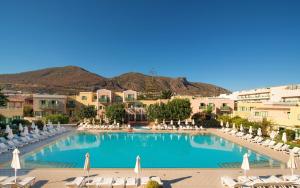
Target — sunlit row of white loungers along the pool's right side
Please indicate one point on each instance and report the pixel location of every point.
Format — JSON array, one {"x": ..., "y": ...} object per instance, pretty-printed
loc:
[{"x": 263, "y": 142}]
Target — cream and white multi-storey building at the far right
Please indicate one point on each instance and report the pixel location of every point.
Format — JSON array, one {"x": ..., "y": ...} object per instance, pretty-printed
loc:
[{"x": 279, "y": 104}]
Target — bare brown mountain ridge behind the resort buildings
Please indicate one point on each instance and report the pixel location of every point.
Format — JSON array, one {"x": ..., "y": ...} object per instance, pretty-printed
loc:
[{"x": 72, "y": 79}]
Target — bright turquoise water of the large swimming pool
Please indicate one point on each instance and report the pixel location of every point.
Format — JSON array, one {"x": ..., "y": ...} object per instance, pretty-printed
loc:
[{"x": 119, "y": 150}]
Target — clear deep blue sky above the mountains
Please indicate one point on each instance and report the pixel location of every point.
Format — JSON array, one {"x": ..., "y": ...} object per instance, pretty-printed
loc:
[{"x": 235, "y": 44}]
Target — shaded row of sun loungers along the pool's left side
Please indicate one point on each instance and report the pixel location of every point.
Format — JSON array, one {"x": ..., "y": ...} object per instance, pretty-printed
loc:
[{"x": 21, "y": 141}]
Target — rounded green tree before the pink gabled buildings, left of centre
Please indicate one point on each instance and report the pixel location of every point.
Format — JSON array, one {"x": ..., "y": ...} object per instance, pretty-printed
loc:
[{"x": 115, "y": 112}]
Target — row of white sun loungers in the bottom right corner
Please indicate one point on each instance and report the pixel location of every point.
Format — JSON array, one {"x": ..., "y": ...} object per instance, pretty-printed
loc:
[{"x": 261, "y": 181}]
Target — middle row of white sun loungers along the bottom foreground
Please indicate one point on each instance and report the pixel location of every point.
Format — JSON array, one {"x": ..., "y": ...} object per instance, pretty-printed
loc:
[{"x": 118, "y": 182}]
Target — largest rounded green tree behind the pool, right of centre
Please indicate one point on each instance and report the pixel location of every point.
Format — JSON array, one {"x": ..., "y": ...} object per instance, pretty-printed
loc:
[{"x": 179, "y": 109}]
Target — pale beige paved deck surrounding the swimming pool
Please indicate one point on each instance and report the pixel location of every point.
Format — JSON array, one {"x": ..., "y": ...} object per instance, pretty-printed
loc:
[{"x": 175, "y": 178}]
